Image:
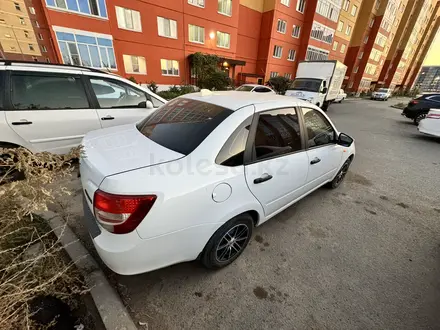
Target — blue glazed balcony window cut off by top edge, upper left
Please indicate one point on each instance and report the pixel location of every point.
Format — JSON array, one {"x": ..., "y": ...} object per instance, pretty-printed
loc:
[{"x": 88, "y": 7}]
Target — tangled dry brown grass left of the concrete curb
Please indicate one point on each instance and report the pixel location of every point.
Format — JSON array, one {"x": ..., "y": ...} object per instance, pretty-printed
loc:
[{"x": 24, "y": 272}]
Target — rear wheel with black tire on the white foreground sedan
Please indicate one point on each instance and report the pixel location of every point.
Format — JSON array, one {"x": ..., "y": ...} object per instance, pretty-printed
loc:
[{"x": 228, "y": 242}]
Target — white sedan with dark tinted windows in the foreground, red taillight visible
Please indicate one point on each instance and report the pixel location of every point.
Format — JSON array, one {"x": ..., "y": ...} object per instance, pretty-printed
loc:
[{"x": 193, "y": 179}]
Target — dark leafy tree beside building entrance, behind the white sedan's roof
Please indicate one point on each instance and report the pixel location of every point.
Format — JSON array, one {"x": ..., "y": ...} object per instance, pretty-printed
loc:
[{"x": 208, "y": 74}]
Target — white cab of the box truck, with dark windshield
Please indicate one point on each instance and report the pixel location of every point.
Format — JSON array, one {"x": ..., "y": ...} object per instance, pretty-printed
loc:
[{"x": 313, "y": 90}]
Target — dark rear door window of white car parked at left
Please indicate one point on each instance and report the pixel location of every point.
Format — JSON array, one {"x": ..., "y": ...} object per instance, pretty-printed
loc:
[{"x": 45, "y": 92}]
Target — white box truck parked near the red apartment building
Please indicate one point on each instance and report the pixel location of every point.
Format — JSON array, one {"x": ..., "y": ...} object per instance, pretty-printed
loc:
[{"x": 318, "y": 82}]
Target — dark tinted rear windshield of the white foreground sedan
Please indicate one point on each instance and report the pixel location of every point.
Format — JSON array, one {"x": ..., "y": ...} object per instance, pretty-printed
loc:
[{"x": 182, "y": 124}]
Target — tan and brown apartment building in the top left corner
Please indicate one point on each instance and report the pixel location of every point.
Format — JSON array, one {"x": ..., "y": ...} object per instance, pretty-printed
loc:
[{"x": 24, "y": 33}]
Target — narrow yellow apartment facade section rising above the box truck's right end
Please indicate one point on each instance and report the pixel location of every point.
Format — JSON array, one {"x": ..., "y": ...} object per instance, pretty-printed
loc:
[{"x": 345, "y": 29}]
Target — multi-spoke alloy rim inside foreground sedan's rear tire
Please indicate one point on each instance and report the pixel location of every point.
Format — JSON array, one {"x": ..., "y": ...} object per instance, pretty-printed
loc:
[{"x": 232, "y": 243}]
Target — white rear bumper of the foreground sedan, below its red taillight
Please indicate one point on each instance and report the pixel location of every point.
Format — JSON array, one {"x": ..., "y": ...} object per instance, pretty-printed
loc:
[{"x": 129, "y": 254}]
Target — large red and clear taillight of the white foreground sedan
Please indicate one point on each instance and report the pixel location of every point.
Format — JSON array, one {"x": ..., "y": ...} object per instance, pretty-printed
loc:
[{"x": 121, "y": 214}]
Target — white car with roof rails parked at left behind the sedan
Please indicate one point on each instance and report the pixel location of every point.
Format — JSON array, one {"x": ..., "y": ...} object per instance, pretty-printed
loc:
[{"x": 51, "y": 107}]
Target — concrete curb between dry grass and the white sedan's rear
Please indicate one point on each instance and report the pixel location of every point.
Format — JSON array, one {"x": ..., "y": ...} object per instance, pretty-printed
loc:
[{"x": 113, "y": 313}]
